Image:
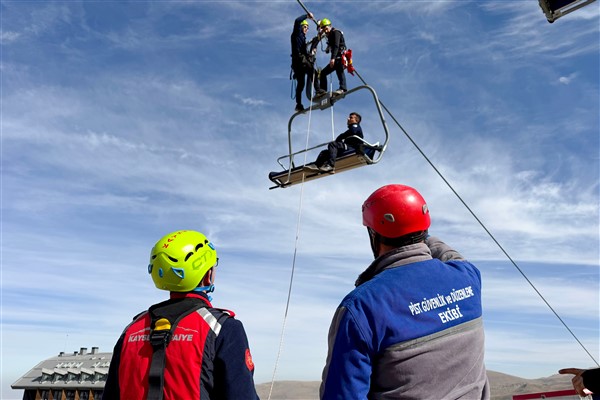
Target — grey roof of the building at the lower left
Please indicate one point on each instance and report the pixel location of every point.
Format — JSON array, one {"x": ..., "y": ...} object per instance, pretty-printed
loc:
[{"x": 79, "y": 370}]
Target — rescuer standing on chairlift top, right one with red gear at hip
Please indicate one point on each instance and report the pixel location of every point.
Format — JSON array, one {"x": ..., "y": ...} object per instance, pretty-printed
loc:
[{"x": 336, "y": 45}]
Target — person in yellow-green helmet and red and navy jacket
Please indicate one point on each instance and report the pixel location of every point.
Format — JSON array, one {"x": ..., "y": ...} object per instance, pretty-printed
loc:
[{"x": 182, "y": 348}]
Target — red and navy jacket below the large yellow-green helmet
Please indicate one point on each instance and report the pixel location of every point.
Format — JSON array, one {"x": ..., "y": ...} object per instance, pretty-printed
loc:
[{"x": 207, "y": 357}]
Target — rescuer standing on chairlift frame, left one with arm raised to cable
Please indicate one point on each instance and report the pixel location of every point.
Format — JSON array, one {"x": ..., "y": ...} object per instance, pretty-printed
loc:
[{"x": 302, "y": 62}]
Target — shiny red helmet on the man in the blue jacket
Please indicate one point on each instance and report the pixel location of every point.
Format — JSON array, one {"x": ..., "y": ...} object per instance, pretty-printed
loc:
[{"x": 396, "y": 210}]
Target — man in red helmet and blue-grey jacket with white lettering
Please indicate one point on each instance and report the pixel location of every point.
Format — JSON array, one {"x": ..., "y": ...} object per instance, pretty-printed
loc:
[{"x": 412, "y": 328}]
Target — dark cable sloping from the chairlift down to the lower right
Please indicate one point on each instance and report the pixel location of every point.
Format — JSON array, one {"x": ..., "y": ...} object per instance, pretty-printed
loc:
[{"x": 513, "y": 262}]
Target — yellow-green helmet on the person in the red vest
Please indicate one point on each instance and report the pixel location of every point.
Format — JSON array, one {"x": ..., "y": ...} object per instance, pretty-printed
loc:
[{"x": 179, "y": 260}]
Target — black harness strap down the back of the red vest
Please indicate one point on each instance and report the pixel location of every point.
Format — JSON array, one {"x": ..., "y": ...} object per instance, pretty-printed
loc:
[{"x": 160, "y": 336}]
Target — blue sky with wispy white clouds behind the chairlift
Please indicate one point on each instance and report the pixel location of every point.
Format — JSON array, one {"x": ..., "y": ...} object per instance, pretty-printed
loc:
[{"x": 123, "y": 121}]
